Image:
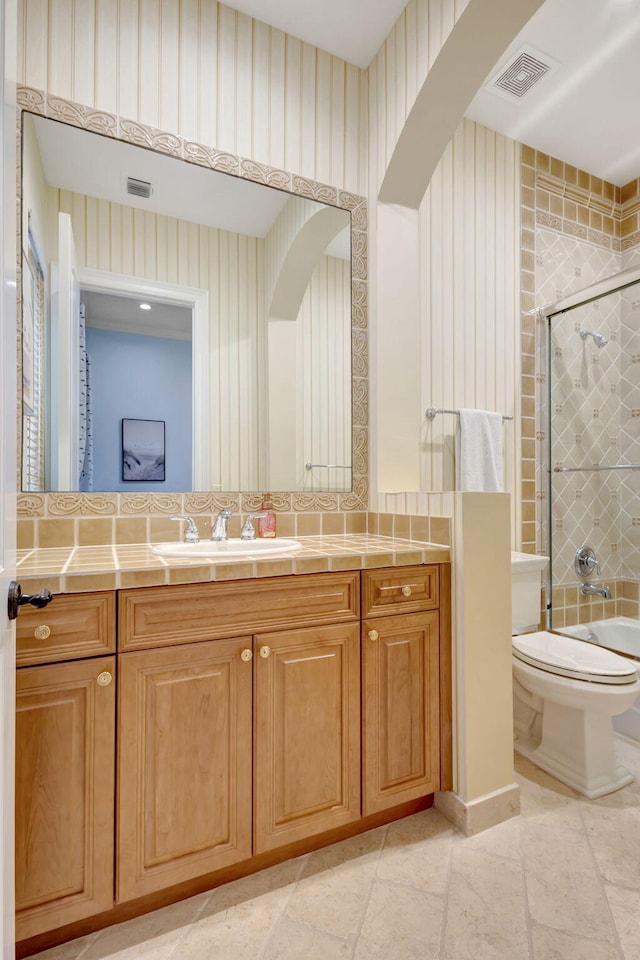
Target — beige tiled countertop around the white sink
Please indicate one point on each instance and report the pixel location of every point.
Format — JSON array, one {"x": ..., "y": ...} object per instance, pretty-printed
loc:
[{"x": 79, "y": 569}]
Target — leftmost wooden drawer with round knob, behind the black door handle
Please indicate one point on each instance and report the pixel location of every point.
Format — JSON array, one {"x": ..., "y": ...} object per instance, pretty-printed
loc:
[{"x": 73, "y": 626}]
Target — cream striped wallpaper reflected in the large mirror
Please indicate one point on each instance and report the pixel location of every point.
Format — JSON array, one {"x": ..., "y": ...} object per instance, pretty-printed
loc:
[{"x": 231, "y": 267}]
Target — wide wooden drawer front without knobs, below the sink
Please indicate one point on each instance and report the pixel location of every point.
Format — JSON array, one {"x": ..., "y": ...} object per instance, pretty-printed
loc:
[{"x": 161, "y": 616}]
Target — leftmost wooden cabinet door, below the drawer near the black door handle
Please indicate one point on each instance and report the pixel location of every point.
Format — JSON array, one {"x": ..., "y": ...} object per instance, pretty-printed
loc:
[{"x": 65, "y": 759}]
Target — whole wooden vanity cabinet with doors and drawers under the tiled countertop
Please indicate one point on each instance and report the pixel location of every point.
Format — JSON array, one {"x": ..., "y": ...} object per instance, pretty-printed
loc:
[{"x": 252, "y": 717}]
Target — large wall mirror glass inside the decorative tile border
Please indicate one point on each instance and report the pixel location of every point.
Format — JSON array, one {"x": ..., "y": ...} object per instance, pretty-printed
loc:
[{"x": 183, "y": 328}]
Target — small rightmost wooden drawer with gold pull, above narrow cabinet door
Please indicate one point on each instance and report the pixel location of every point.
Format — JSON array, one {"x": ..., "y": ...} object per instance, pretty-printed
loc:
[{"x": 400, "y": 590}]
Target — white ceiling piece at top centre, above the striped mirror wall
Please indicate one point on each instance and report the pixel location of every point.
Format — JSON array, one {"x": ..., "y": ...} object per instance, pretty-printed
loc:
[{"x": 351, "y": 29}]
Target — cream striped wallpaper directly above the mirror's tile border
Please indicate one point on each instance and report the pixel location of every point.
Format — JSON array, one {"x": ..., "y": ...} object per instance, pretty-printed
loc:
[{"x": 205, "y": 72}]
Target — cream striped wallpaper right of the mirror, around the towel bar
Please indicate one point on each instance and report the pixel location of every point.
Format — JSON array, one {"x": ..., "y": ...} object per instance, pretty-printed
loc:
[{"x": 457, "y": 301}]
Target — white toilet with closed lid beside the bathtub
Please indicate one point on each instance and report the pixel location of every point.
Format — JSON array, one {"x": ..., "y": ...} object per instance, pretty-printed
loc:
[{"x": 565, "y": 693}]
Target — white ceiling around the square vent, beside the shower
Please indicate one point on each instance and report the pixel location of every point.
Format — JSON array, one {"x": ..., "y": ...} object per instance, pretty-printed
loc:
[{"x": 586, "y": 110}]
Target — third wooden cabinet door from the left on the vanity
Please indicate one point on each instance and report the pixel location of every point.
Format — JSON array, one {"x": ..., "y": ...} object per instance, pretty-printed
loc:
[{"x": 307, "y": 733}]
